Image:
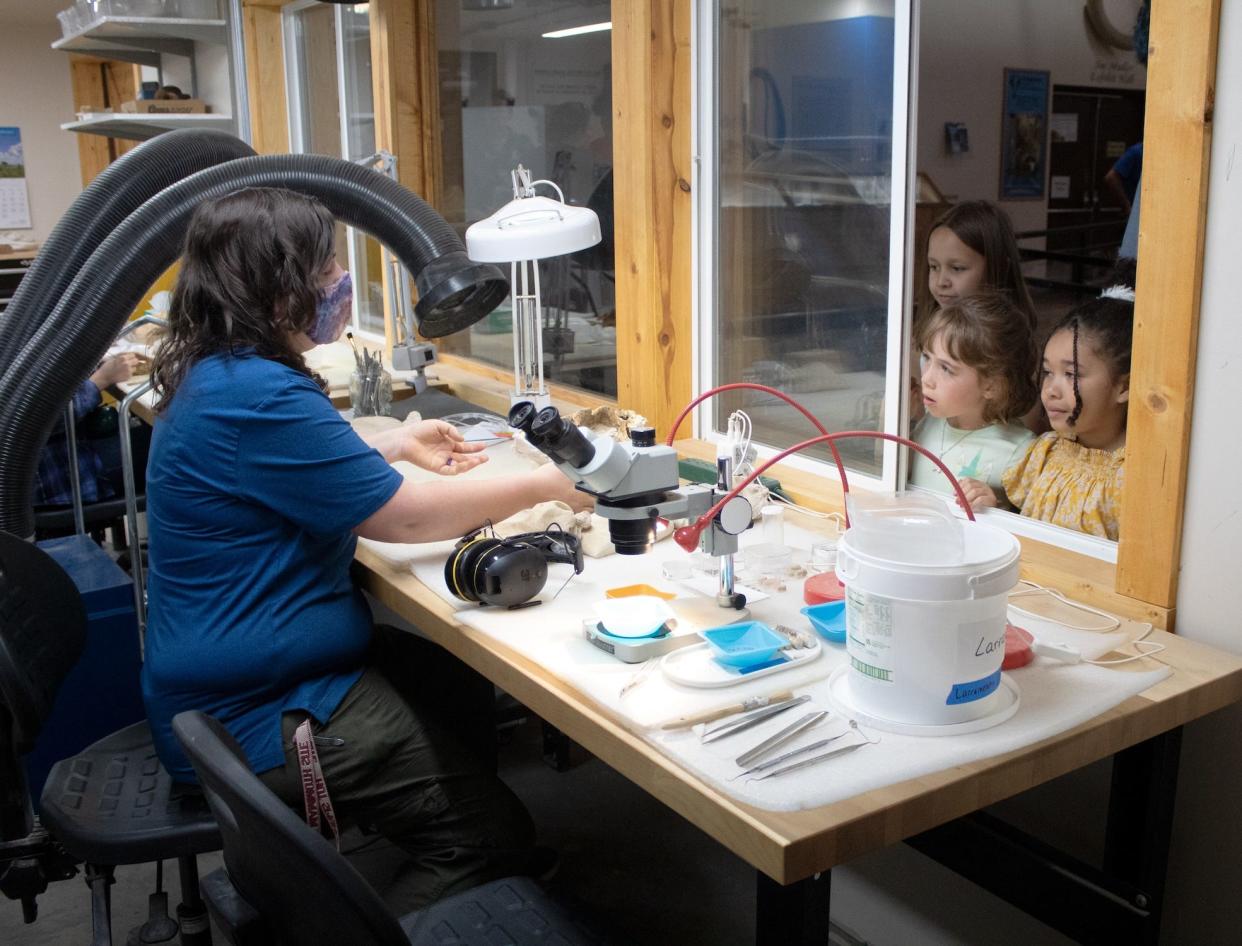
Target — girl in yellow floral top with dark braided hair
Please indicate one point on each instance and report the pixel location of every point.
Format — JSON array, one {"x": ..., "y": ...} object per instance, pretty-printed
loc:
[{"x": 1072, "y": 476}]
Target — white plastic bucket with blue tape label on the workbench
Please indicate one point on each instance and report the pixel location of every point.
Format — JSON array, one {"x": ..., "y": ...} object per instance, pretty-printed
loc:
[{"x": 926, "y": 642}]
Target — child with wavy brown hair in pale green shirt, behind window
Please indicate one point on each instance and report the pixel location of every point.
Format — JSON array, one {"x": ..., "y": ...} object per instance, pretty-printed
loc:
[{"x": 978, "y": 359}]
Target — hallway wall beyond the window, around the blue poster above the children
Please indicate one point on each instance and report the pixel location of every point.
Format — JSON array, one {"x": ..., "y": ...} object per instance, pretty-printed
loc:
[{"x": 964, "y": 48}]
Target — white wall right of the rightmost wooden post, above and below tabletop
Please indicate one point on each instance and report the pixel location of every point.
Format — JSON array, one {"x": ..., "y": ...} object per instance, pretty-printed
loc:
[{"x": 1207, "y": 862}]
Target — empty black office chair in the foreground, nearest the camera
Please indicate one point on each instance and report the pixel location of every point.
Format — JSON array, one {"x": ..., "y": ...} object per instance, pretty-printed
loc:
[{"x": 307, "y": 894}]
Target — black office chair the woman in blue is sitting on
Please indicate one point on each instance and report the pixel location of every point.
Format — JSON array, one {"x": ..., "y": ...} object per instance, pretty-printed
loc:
[{"x": 112, "y": 804}]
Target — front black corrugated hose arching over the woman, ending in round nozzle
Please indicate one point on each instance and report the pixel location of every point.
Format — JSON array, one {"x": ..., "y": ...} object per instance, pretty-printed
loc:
[{"x": 454, "y": 292}]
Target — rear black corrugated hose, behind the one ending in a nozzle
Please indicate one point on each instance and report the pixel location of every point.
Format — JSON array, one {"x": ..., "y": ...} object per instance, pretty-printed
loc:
[{"x": 122, "y": 188}]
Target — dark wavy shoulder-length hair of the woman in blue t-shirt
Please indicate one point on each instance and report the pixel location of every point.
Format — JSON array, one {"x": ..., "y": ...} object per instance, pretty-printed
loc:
[{"x": 250, "y": 279}]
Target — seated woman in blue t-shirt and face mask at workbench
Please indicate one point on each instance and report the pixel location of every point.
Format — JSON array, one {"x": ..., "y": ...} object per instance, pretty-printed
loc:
[{"x": 256, "y": 493}]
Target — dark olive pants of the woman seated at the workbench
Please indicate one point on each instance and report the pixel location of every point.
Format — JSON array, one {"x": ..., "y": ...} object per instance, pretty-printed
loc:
[{"x": 410, "y": 754}]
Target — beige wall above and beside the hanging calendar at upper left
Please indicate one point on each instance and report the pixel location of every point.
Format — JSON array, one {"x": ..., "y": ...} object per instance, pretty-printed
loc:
[{"x": 28, "y": 63}]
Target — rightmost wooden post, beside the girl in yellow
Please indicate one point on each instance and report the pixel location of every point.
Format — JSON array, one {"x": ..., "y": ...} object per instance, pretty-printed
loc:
[{"x": 1182, "y": 75}]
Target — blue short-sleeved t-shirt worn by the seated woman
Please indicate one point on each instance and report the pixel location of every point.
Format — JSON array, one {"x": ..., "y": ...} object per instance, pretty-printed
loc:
[{"x": 254, "y": 486}]
